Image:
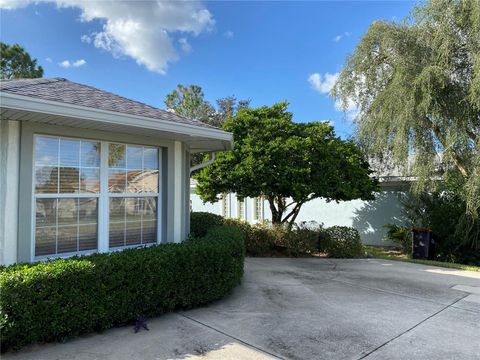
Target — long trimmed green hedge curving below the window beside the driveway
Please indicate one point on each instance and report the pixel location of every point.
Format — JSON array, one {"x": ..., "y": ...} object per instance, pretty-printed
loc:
[{"x": 62, "y": 298}]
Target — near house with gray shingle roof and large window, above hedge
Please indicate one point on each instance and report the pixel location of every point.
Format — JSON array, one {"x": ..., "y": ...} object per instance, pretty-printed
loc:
[{"x": 83, "y": 170}]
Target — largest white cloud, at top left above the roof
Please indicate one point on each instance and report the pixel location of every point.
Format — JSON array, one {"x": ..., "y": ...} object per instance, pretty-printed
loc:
[{"x": 141, "y": 30}]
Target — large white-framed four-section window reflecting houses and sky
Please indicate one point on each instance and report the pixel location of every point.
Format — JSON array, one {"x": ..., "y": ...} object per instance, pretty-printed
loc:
[{"x": 69, "y": 188}]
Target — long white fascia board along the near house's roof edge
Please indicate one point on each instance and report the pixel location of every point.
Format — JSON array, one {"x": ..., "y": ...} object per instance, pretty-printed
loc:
[{"x": 27, "y": 103}]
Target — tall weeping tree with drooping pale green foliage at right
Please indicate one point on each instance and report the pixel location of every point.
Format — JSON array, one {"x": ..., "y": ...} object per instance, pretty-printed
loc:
[{"x": 417, "y": 87}]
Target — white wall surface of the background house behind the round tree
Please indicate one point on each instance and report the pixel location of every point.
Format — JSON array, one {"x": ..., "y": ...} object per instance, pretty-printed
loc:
[{"x": 368, "y": 217}]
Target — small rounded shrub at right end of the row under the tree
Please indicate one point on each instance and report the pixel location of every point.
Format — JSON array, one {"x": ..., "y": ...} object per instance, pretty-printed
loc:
[{"x": 341, "y": 242}]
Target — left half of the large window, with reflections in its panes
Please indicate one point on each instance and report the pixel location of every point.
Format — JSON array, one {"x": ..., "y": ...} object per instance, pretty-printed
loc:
[{"x": 64, "y": 168}]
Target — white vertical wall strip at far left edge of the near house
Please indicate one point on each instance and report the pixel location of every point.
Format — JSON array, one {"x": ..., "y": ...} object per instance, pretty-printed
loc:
[{"x": 9, "y": 177}]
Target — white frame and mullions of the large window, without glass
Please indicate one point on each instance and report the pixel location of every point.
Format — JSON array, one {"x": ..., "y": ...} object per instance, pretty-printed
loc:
[{"x": 103, "y": 201}]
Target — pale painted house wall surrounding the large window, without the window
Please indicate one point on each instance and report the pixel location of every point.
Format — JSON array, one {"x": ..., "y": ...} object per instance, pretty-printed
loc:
[{"x": 16, "y": 184}]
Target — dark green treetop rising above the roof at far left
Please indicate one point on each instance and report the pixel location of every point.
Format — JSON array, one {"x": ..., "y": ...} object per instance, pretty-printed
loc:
[{"x": 16, "y": 63}]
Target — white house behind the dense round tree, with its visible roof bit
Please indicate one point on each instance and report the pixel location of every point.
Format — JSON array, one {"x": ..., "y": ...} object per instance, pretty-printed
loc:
[{"x": 368, "y": 217}]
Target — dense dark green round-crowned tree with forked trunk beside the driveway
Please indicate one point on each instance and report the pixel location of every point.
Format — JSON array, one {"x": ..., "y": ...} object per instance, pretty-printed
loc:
[{"x": 286, "y": 162}]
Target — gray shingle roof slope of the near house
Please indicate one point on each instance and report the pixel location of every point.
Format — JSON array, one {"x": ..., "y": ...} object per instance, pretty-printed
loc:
[{"x": 65, "y": 91}]
